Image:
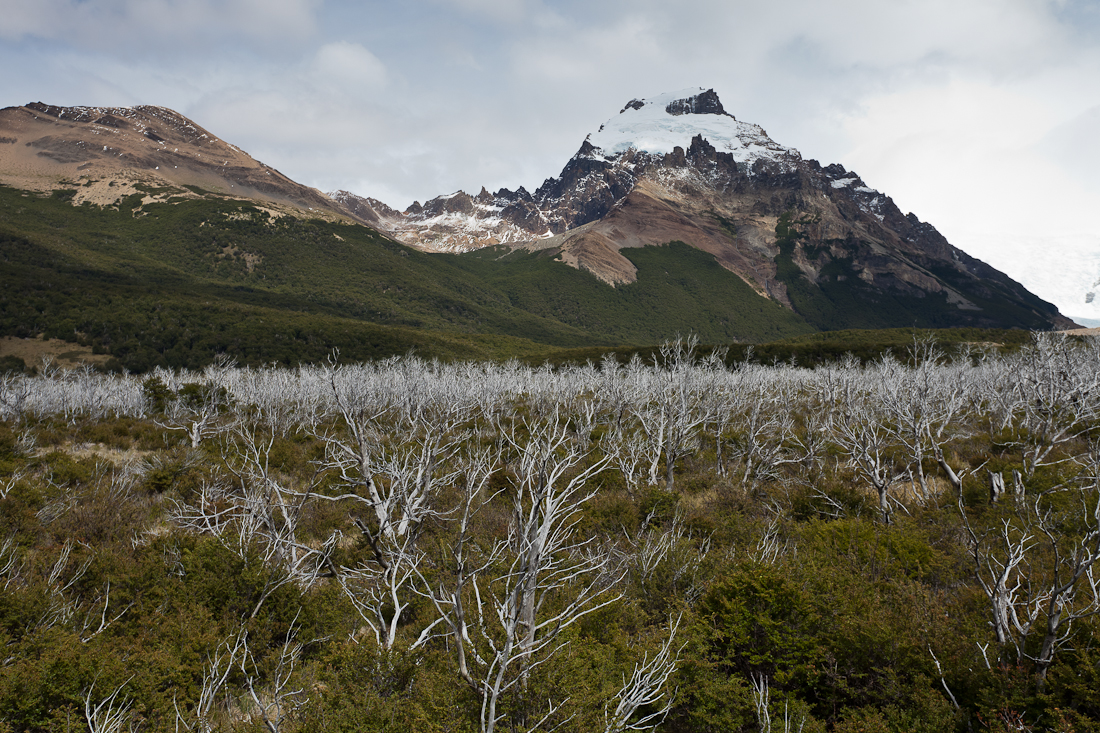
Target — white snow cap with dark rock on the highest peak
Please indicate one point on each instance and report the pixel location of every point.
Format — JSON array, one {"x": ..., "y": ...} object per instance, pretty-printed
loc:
[{"x": 662, "y": 124}]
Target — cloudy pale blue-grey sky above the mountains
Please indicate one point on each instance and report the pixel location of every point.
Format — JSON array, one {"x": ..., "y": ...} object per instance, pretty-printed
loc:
[{"x": 982, "y": 117}]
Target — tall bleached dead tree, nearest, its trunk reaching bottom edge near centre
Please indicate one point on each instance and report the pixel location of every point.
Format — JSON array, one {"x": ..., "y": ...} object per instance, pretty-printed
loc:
[{"x": 509, "y": 605}]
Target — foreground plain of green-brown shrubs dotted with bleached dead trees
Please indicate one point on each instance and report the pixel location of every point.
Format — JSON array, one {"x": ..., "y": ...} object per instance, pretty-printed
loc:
[{"x": 908, "y": 544}]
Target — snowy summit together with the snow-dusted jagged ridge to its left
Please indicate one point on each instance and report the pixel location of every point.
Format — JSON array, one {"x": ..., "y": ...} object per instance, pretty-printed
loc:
[{"x": 672, "y": 136}]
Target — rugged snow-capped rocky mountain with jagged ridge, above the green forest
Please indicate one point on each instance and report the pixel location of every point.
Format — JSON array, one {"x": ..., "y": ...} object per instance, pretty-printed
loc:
[{"x": 679, "y": 168}]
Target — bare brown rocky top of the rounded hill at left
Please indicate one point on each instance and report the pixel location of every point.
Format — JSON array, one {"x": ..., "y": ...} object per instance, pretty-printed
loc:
[{"x": 107, "y": 151}]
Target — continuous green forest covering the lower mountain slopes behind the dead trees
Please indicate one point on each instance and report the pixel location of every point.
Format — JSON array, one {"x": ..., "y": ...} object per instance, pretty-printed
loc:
[{"x": 174, "y": 281}]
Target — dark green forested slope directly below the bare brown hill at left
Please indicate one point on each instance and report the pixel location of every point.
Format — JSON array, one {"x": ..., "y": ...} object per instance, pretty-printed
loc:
[{"x": 174, "y": 283}]
